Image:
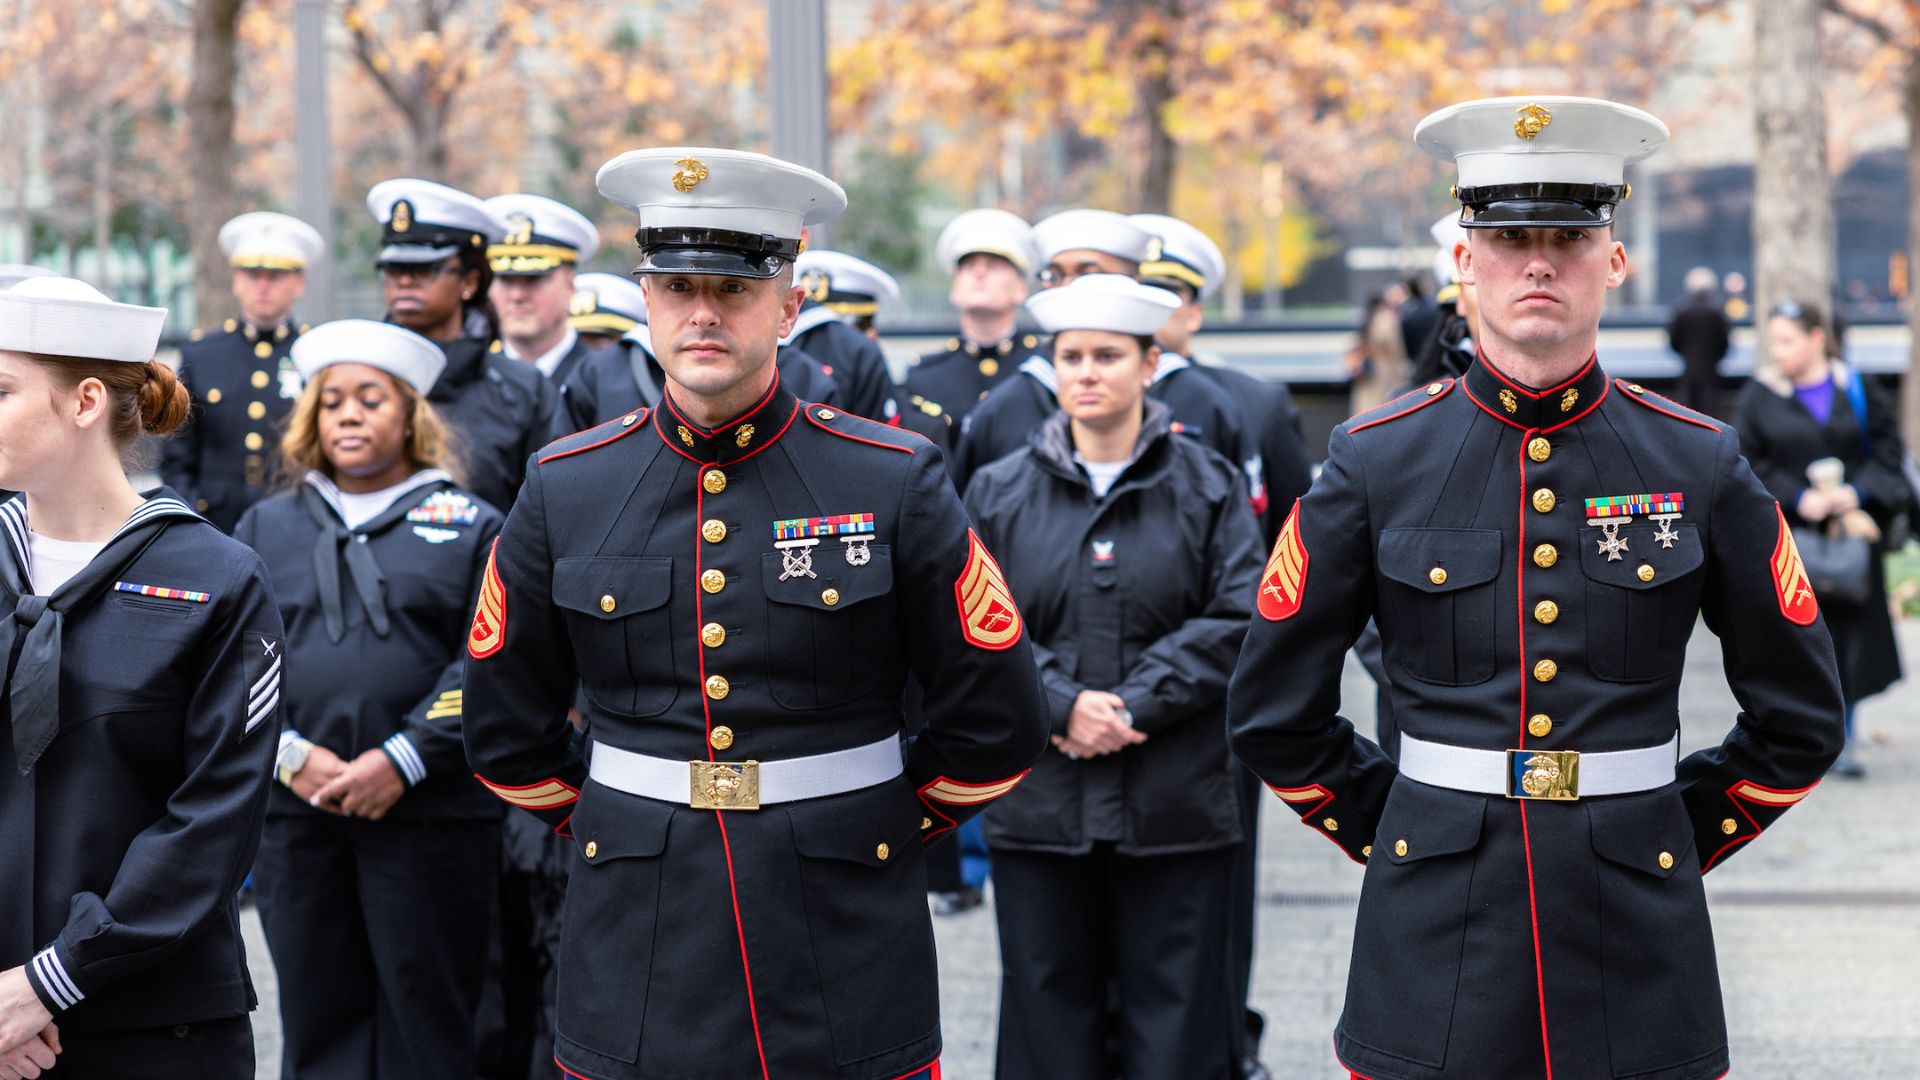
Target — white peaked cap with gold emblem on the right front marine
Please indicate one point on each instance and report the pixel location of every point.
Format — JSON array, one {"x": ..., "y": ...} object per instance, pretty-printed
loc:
[{"x": 1541, "y": 162}]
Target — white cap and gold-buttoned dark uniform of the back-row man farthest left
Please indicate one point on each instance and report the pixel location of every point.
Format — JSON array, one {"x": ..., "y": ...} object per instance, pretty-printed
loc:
[{"x": 241, "y": 380}]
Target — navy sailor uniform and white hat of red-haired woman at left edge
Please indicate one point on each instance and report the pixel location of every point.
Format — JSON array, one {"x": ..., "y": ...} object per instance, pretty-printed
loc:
[{"x": 141, "y": 710}]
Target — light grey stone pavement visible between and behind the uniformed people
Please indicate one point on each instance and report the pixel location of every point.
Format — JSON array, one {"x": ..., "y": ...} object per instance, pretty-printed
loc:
[{"x": 1817, "y": 923}]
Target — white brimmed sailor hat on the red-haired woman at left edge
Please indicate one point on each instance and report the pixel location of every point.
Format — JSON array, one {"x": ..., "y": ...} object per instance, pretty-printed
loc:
[{"x": 60, "y": 316}]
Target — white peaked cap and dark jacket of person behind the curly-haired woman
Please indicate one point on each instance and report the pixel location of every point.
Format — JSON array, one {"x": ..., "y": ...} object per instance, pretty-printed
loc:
[{"x": 502, "y": 410}]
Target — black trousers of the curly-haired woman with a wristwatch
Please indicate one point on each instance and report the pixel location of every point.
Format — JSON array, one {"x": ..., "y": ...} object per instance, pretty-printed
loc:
[{"x": 395, "y": 906}]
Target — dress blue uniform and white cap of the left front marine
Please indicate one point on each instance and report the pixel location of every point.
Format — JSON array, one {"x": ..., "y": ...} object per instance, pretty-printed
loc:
[{"x": 742, "y": 606}]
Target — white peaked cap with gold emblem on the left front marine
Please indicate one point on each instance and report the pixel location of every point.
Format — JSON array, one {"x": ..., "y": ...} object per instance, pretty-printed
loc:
[{"x": 719, "y": 212}]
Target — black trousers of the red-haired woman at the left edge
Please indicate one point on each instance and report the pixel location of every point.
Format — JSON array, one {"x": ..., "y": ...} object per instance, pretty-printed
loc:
[{"x": 206, "y": 1050}]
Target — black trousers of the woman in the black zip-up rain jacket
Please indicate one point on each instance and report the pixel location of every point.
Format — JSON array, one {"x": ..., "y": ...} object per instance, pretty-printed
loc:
[{"x": 1076, "y": 925}]
